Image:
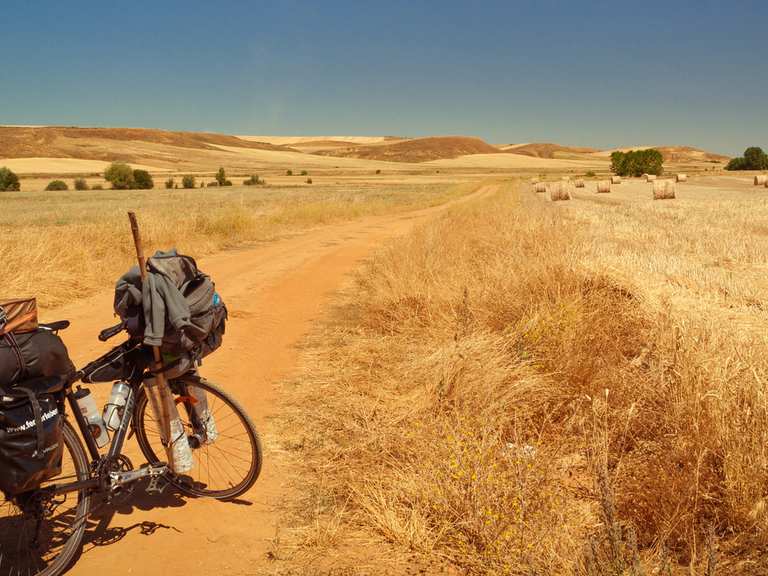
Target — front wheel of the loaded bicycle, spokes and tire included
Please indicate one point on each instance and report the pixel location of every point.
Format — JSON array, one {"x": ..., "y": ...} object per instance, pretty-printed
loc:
[{"x": 227, "y": 452}]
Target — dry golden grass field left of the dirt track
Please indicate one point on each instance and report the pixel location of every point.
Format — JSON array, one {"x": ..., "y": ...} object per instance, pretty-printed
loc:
[{"x": 62, "y": 246}]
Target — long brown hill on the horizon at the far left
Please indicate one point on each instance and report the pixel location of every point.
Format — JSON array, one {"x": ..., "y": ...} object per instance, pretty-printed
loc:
[{"x": 107, "y": 143}]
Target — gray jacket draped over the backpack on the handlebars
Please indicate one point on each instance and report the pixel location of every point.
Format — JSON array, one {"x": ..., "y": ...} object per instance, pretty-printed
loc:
[{"x": 160, "y": 297}]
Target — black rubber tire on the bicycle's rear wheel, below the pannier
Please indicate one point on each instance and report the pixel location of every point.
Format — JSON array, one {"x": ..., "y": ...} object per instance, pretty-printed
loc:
[{"x": 71, "y": 548}]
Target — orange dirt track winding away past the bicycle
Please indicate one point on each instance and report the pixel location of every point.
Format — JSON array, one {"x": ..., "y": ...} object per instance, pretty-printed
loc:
[{"x": 274, "y": 293}]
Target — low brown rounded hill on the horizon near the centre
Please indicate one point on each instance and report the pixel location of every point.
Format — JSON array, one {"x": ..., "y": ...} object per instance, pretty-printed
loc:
[{"x": 415, "y": 149}]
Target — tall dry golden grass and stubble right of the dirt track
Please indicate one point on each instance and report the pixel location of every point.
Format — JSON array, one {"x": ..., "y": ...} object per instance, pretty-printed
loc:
[{"x": 496, "y": 393}]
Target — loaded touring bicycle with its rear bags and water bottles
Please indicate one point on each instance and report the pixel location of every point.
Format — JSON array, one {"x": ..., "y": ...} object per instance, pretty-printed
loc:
[{"x": 61, "y": 458}]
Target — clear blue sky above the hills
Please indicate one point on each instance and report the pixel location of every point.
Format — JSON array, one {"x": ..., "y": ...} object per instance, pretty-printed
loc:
[{"x": 601, "y": 73}]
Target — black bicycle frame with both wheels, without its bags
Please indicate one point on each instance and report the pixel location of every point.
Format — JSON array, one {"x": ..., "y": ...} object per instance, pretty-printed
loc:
[{"x": 42, "y": 530}]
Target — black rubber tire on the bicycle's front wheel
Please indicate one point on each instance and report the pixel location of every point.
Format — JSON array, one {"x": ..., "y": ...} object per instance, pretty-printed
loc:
[{"x": 182, "y": 483}]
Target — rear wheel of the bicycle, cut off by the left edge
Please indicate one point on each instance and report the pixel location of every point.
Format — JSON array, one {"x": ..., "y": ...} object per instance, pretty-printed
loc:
[{"x": 40, "y": 534}]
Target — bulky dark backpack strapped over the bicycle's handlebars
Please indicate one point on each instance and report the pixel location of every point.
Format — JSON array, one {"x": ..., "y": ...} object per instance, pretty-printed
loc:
[{"x": 208, "y": 313}]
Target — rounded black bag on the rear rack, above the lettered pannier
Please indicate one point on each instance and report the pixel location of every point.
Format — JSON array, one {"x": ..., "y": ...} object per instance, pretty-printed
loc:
[{"x": 39, "y": 353}]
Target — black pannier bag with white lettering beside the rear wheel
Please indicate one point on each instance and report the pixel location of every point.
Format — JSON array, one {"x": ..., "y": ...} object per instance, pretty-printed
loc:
[{"x": 31, "y": 445}]
